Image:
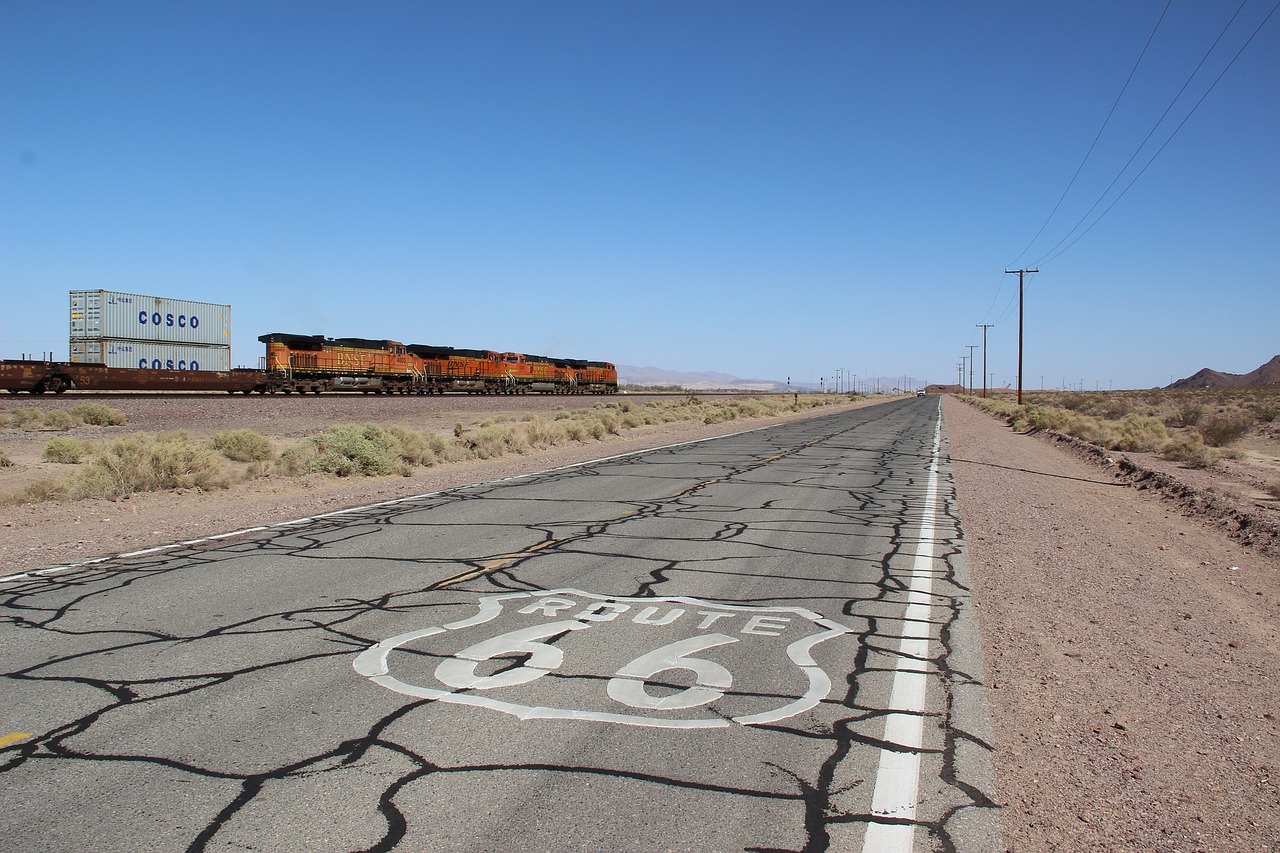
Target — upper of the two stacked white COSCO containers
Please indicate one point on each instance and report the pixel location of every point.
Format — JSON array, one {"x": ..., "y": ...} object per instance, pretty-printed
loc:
[{"x": 129, "y": 317}]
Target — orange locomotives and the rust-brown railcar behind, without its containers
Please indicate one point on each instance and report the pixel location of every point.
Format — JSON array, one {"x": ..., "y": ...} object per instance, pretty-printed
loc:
[{"x": 316, "y": 364}]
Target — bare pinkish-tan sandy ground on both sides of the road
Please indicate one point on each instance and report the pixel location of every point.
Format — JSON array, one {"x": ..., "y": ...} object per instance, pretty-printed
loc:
[{"x": 1131, "y": 650}]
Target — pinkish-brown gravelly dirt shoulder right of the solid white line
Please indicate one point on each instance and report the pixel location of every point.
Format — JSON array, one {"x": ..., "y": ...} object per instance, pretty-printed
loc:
[{"x": 1131, "y": 654}]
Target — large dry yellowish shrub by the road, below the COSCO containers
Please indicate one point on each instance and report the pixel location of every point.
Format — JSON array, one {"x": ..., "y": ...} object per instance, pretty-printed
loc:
[{"x": 143, "y": 463}]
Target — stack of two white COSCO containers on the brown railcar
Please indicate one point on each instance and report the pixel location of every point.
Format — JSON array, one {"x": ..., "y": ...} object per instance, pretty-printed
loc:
[{"x": 131, "y": 331}]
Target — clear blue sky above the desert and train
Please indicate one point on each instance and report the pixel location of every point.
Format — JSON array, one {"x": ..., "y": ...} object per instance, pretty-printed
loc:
[{"x": 767, "y": 190}]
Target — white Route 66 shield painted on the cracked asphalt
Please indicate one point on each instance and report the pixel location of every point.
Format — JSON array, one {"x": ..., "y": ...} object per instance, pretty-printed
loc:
[{"x": 568, "y": 655}]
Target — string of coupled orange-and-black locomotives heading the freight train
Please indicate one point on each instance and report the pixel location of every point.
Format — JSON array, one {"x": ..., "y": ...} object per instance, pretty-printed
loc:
[{"x": 300, "y": 363}]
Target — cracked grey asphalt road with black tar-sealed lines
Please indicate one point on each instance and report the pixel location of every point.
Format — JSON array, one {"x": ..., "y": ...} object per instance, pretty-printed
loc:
[{"x": 761, "y": 642}]
